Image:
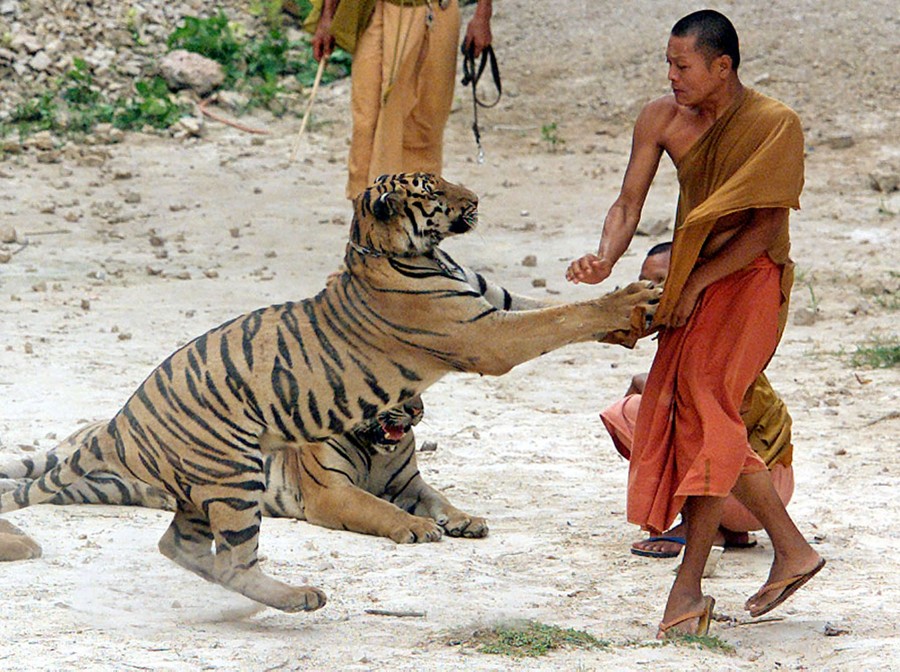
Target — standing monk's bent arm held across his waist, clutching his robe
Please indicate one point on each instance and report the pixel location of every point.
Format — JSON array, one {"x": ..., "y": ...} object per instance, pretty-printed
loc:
[{"x": 750, "y": 241}]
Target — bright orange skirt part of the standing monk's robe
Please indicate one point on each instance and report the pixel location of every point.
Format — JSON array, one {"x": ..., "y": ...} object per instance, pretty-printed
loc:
[{"x": 689, "y": 438}]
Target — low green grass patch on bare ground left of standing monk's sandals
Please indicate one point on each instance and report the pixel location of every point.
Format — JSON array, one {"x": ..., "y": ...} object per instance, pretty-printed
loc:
[{"x": 531, "y": 639}]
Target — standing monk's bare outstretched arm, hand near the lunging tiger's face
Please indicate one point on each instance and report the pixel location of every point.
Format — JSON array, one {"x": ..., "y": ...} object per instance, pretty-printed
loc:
[{"x": 625, "y": 213}]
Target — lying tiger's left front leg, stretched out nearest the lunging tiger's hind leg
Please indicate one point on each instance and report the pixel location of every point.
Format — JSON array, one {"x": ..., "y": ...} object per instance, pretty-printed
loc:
[{"x": 331, "y": 501}]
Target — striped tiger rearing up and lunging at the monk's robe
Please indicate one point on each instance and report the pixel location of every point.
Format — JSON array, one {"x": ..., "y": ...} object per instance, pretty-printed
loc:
[{"x": 398, "y": 318}]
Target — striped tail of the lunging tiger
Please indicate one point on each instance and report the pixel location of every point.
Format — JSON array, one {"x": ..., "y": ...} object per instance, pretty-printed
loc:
[{"x": 88, "y": 457}]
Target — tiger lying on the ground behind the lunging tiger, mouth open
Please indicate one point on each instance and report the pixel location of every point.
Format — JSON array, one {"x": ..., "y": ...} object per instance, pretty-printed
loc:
[{"x": 365, "y": 480}]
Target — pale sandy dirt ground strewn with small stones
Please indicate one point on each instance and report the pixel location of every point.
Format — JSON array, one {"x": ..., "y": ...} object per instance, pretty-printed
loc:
[{"x": 133, "y": 249}]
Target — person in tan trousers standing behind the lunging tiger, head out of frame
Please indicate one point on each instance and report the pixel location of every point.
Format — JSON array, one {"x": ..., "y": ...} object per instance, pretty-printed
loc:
[{"x": 402, "y": 79}]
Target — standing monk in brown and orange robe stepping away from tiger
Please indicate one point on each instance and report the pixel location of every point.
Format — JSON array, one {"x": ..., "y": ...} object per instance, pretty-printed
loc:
[{"x": 739, "y": 156}]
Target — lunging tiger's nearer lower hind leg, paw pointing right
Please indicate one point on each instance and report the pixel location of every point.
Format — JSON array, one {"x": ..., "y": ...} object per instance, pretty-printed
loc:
[{"x": 235, "y": 527}]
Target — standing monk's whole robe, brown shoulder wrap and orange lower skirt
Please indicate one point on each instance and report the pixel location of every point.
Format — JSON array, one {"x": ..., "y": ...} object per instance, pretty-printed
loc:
[{"x": 689, "y": 437}]
